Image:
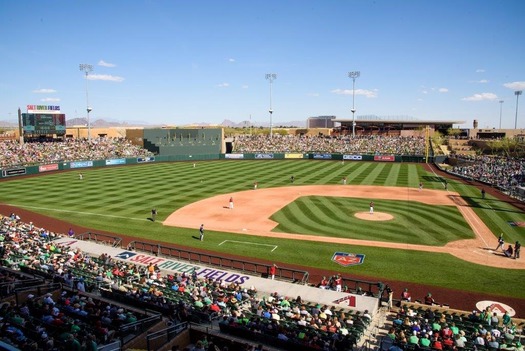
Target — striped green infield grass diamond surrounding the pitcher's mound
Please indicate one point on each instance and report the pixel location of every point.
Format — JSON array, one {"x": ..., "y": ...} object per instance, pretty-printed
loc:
[{"x": 413, "y": 222}]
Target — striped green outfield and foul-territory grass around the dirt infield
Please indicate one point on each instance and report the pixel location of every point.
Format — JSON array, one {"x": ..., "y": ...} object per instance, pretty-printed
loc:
[{"x": 119, "y": 200}]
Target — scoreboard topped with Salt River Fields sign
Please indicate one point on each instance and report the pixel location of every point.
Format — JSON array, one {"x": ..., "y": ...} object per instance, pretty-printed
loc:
[{"x": 44, "y": 120}]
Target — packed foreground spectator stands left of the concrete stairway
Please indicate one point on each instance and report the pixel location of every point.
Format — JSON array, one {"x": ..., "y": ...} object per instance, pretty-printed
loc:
[{"x": 83, "y": 281}]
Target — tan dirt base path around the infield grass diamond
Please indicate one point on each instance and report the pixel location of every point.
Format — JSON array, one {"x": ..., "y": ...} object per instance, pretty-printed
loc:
[{"x": 253, "y": 209}]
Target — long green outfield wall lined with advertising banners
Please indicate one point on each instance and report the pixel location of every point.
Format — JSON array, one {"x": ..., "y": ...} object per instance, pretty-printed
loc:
[{"x": 79, "y": 166}]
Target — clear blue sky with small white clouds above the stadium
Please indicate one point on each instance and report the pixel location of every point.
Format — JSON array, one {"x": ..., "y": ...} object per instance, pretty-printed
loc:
[{"x": 182, "y": 62}]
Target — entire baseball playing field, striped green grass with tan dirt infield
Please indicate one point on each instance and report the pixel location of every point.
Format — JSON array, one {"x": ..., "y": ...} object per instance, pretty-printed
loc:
[{"x": 439, "y": 237}]
